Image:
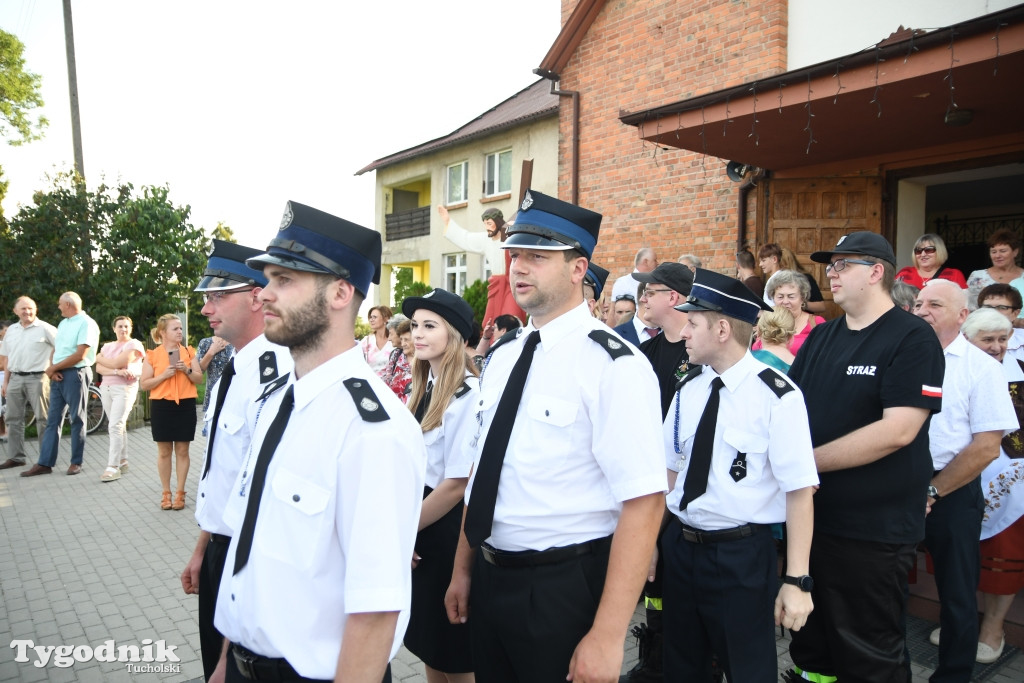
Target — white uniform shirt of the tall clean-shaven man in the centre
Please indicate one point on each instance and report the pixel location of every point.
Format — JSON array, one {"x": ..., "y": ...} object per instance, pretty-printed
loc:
[{"x": 586, "y": 437}]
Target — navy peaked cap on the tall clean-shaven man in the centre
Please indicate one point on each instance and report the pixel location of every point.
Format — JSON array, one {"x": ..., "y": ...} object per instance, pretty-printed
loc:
[{"x": 547, "y": 224}]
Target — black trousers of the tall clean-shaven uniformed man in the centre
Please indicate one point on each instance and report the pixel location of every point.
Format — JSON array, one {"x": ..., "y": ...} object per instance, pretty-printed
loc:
[{"x": 527, "y": 622}]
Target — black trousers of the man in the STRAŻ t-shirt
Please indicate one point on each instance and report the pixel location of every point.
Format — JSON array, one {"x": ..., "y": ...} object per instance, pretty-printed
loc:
[{"x": 858, "y": 630}]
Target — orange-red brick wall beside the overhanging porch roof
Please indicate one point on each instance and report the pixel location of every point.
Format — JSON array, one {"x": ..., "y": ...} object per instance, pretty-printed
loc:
[{"x": 644, "y": 54}]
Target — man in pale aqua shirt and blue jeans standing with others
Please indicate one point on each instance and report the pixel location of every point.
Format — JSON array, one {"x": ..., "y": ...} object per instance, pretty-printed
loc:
[{"x": 71, "y": 373}]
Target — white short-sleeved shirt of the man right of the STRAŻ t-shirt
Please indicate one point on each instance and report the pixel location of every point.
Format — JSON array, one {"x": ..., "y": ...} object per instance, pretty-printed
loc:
[{"x": 974, "y": 401}]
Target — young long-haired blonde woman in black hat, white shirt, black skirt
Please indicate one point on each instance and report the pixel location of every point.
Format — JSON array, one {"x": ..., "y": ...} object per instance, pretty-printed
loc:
[{"x": 444, "y": 400}]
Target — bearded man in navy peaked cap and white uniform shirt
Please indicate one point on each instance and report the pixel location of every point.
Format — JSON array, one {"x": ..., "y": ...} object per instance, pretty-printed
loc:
[{"x": 318, "y": 579}]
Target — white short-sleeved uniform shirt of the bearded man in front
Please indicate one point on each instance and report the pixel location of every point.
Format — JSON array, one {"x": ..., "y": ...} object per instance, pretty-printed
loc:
[{"x": 337, "y": 522}]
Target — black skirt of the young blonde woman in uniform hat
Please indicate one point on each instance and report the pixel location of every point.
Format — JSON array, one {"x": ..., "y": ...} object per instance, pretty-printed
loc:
[{"x": 440, "y": 645}]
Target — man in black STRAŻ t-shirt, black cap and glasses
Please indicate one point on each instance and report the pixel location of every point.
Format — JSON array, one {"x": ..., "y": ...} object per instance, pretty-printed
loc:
[{"x": 871, "y": 379}]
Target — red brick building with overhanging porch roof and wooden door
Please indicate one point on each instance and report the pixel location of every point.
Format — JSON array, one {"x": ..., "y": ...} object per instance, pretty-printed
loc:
[{"x": 669, "y": 92}]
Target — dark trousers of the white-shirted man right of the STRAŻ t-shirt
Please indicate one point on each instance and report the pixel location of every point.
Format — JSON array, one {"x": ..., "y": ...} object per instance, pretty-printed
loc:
[{"x": 952, "y": 534}]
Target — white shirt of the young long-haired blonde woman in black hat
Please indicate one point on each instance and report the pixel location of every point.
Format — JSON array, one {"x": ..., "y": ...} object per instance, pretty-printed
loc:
[{"x": 450, "y": 448}]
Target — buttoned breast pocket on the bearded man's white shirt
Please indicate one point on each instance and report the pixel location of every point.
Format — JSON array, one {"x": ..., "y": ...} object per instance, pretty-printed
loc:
[{"x": 295, "y": 526}]
